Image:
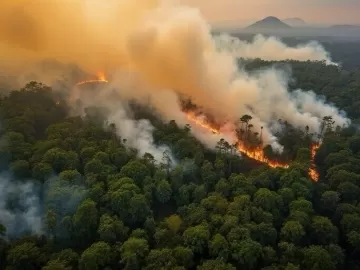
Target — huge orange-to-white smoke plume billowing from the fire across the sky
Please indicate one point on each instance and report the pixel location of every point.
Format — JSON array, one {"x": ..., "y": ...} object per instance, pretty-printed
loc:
[{"x": 160, "y": 50}]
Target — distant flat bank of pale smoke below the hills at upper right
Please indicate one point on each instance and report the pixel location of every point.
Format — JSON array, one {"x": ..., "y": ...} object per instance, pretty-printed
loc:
[{"x": 271, "y": 49}]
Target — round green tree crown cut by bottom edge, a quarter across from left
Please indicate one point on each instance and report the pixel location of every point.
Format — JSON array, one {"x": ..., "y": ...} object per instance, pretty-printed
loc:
[{"x": 96, "y": 257}]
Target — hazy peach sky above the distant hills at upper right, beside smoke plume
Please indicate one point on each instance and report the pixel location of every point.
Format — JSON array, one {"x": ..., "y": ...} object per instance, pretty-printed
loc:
[{"x": 312, "y": 11}]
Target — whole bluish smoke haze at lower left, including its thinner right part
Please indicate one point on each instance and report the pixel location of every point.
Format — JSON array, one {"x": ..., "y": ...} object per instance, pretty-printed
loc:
[{"x": 22, "y": 209}]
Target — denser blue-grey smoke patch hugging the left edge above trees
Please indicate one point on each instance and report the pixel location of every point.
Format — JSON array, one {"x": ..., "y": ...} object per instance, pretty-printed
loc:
[{"x": 20, "y": 208}]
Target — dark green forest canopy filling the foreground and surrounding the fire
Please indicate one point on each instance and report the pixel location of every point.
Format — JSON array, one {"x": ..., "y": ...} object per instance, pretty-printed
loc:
[{"x": 105, "y": 208}]
